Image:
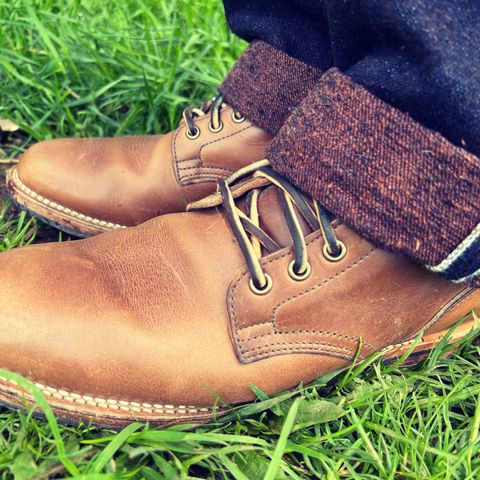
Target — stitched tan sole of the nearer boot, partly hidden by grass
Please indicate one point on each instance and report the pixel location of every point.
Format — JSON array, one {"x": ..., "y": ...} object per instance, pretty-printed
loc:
[{"x": 72, "y": 408}]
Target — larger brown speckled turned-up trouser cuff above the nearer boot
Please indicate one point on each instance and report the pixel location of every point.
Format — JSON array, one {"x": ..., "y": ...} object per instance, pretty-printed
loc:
[{"x": 398, "y": 184}]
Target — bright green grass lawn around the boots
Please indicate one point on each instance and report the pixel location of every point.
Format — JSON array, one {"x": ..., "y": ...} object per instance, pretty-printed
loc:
[{"x": 93, "y": 68}]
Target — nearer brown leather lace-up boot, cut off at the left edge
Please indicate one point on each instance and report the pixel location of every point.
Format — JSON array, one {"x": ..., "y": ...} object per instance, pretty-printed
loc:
[{"x": 257, "y": 285}]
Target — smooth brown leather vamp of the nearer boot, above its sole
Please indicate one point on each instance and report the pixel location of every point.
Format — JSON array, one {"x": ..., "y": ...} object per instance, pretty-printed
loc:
[{"x": 138, "y": 314}]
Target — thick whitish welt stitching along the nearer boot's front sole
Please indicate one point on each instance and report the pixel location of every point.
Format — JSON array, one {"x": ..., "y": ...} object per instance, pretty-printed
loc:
[{"x": 113, "y": 404}]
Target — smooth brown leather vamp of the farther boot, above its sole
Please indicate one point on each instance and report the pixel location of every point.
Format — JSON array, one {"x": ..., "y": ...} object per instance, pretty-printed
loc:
[{"x": 125, "y": 180}]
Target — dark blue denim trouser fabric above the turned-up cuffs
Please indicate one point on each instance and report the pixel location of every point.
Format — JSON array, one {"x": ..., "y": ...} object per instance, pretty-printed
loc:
[{"x": 421, "y": 56}]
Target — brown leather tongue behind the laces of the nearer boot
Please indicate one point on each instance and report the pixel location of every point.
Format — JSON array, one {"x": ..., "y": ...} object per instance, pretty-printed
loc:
[{"x": 272, "y": 217}]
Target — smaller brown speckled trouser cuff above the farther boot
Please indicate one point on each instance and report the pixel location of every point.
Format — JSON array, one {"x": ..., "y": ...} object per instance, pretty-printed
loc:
[{"x": 266, "y": 84}]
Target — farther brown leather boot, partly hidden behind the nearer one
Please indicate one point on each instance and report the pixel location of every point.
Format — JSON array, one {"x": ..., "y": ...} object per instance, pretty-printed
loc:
[{"x": 88, "y": 186}]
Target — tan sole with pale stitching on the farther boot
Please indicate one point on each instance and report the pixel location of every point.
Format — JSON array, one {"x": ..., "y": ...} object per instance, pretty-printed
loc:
[{"x": 52, "y": 213}]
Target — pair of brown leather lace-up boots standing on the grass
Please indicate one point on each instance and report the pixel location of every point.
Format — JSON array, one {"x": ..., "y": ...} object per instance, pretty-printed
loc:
[{"x": 227, "y": 276}]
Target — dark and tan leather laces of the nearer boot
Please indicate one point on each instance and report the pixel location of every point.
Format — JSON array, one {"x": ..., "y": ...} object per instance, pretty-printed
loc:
[{"x": 246, "y": 228}]
